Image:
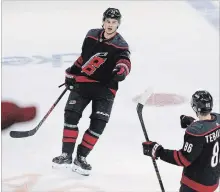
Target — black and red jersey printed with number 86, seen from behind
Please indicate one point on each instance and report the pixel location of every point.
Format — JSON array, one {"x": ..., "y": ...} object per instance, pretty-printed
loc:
[{"x": 200, "y": 155}]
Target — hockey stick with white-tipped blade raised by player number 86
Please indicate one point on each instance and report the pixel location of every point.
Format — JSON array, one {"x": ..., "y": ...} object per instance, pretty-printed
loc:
[{"x": 141, "y": 102}]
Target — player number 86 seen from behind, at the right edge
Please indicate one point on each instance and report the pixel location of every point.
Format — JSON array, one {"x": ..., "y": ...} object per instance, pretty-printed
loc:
[{"x": 200, "y": 154}]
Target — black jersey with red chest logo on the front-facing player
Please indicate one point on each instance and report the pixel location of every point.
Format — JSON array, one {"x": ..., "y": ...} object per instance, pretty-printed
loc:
[{"x": 99, "y": 57}]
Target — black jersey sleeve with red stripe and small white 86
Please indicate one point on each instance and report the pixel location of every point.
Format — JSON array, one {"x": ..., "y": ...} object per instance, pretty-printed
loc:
[{"x": 192, "y": 148}]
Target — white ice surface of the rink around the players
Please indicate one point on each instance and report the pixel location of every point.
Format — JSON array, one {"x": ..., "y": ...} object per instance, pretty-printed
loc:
[{"x": 174, "y": 49}]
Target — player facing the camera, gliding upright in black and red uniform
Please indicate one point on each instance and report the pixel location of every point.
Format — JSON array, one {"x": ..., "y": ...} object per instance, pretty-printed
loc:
[{"x": 104, "y": 61}]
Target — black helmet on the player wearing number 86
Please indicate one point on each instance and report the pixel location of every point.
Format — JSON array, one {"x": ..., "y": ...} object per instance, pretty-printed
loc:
[{"x": 202, "y": 102}]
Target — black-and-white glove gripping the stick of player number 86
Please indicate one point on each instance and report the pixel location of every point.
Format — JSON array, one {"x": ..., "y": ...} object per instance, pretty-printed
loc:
[{"x": 152, "y": 149}]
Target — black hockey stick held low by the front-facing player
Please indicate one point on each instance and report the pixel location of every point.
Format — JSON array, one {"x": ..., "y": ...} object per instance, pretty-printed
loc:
[{"x": 21, "y": 134}]
